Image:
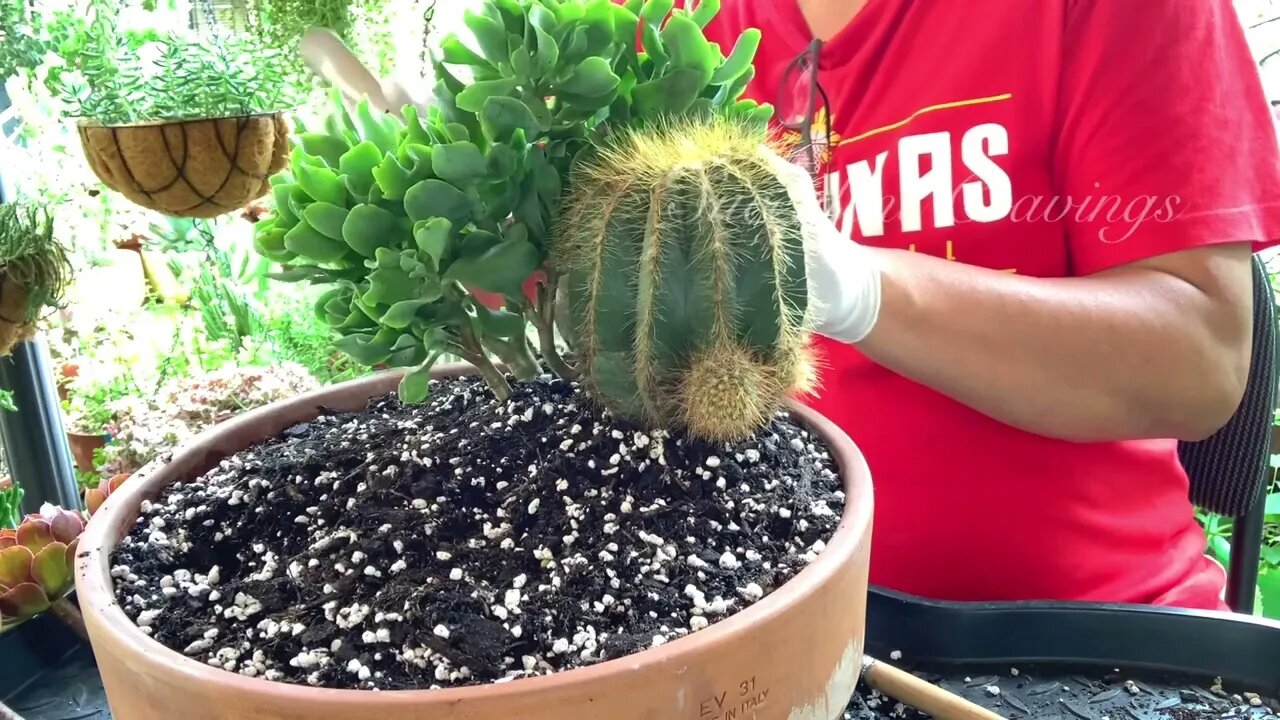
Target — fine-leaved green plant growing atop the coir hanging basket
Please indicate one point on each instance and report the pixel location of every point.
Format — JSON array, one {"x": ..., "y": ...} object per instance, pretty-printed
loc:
[{"x": 191, "y": 76}]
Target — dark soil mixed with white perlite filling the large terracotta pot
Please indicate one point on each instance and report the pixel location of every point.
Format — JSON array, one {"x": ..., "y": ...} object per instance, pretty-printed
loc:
[{"x": 468, "y": 541}]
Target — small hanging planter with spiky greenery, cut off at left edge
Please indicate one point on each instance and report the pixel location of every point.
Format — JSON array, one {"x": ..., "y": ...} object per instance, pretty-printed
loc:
[{"x": 34, "y": 271}]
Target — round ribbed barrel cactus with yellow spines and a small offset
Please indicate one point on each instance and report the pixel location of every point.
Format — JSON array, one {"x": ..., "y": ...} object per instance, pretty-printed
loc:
[{"x": 687, "y": 285}]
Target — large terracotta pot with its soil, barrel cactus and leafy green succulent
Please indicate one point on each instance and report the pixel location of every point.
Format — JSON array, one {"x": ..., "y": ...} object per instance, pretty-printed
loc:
[{"x": 627, "y": 479}]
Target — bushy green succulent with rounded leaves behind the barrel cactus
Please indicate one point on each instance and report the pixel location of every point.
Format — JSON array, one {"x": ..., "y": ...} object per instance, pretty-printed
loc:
[{"x": 413, "y": 224}]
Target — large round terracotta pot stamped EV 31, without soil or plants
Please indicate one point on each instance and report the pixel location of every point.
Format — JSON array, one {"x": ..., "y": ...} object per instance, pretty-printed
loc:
[{"x": 796, "y": 655}]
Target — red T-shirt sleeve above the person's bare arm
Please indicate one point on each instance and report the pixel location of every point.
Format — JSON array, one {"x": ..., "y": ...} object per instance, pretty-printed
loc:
[{"x": 1165, "y": 130}]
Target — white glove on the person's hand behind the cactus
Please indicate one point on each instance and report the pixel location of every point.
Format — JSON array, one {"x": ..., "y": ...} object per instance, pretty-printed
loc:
[{"x": 844, "y": 277}]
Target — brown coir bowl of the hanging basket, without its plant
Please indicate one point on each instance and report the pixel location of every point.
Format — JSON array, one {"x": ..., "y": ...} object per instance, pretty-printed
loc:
[{"x": 200, "y": 168}]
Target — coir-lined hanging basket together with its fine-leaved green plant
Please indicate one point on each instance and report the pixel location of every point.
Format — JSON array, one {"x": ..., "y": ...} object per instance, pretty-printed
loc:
[{"x": 196, "y": 133}]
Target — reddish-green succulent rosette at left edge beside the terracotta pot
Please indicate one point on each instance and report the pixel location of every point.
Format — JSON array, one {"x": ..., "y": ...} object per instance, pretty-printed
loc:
[{"x": 36, "y": 563}]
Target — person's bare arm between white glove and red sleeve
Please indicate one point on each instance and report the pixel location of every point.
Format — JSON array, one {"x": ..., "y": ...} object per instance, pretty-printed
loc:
[{"x": 1084, "y": 359}]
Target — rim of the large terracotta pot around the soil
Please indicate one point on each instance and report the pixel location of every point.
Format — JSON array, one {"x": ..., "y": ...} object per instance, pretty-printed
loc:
[{"x": 97, "y": 591}]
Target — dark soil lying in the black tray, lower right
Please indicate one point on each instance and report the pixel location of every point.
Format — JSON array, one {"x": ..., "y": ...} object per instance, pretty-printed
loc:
[{"x": 1055, "y": 692}]
